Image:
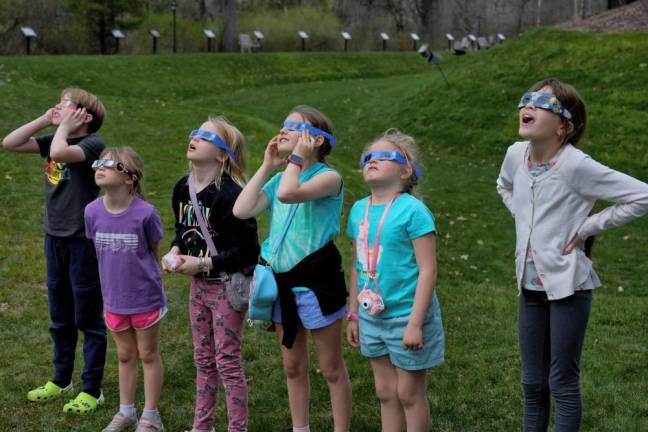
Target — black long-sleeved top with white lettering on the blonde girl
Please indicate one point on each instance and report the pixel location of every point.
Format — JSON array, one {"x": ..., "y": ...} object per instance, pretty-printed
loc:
[{"x": 236, "y": 239}]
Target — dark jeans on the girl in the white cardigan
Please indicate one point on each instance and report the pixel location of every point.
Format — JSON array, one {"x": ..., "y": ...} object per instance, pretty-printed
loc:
[{"x": 551, "y": 337}]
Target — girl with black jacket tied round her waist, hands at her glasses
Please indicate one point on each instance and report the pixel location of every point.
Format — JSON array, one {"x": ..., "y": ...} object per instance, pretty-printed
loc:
[{"x": 308, "y": 266}]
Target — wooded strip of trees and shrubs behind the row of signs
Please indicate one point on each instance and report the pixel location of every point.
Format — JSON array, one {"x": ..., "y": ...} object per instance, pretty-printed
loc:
[{"x": 84, "y": 26}]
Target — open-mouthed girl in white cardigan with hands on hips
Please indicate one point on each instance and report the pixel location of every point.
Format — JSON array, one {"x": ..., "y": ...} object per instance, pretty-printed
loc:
[{"x": 550, "y": 188}]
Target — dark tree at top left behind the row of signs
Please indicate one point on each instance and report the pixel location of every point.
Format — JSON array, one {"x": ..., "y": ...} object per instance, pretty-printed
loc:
[{"x": 102, "y": 16}]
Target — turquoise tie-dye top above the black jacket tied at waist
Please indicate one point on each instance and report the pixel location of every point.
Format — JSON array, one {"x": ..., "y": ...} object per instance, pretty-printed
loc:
[{"x": 315, "y": 224}]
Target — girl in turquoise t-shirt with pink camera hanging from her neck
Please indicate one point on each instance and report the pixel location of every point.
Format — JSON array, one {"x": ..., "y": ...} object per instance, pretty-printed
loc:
[{"x": 392, "y": 283}]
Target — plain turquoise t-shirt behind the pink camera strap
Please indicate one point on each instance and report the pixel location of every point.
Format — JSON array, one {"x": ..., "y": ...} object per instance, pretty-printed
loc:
[{"x": 397, "y": 269}]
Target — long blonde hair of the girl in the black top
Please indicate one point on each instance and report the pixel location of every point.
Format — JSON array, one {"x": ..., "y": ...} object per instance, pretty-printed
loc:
[{"x": 236, "y": 141}]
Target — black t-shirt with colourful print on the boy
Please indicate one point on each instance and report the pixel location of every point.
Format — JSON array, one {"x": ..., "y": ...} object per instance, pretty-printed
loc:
[{"x": 69, "y": 187}]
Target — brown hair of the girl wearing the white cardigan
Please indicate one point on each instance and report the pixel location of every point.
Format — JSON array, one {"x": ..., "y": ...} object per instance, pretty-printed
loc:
[{"x": 571, "y": 100}]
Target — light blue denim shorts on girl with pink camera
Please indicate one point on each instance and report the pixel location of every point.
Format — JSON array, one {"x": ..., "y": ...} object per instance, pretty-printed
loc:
[{"x": 384, "y": 336}]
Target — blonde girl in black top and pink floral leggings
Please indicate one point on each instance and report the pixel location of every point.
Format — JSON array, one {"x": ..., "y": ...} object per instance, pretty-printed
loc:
[{"x": 217, "y": 159}]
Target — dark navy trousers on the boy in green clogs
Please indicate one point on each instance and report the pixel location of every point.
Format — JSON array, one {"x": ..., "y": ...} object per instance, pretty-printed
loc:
[{"x": 75, "y": 303}]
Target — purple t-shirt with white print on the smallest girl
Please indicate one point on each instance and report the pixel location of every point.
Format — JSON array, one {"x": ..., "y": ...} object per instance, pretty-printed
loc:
[{"x": 129, "y": 273}]
